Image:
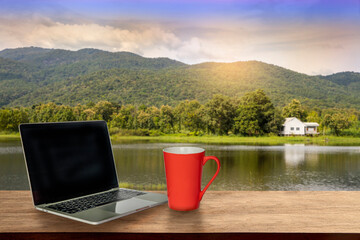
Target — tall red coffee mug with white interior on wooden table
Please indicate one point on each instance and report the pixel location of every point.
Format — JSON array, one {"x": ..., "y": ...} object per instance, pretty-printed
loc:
[{"x": 183, "y": 168}]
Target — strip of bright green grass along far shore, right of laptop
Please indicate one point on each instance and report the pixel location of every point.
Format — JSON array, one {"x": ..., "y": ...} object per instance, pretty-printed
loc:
[{"x": 265, "y": 140}]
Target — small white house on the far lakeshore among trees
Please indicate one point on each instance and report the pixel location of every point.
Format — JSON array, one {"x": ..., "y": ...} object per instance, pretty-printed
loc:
[{"x": 293, "y": 126}]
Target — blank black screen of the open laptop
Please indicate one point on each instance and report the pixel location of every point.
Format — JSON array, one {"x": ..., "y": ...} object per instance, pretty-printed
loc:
[{"x": 67, "y": 160}]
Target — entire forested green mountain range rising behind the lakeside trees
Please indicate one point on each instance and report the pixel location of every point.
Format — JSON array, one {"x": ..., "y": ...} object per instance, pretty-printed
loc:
[{"x": 32, "y": 75}]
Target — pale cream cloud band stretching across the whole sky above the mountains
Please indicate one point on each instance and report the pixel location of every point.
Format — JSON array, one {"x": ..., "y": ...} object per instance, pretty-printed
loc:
[{"x": 314, "y": 48}]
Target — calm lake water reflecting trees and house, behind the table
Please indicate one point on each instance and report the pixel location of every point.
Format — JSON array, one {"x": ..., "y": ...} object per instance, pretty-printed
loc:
[{"x": 243, "y": 167}]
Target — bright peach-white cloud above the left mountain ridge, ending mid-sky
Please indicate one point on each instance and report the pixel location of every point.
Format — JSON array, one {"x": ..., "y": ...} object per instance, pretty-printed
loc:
[{"x": 44, "y": 32}]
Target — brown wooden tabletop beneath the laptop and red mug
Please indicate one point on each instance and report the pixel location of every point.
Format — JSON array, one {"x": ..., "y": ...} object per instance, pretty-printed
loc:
[{"x": 222, "y": 214}]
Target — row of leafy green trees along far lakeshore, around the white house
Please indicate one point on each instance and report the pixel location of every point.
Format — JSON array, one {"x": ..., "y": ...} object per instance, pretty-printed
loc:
[{"x": 253, "y": 114}]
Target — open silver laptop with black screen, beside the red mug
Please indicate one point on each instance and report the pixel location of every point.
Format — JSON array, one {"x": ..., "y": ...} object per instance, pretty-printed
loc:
[{"x": 72, "y": 173}]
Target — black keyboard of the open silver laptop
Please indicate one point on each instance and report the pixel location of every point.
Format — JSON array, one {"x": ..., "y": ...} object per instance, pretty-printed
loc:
[{"x": 81, "y": 204}]
